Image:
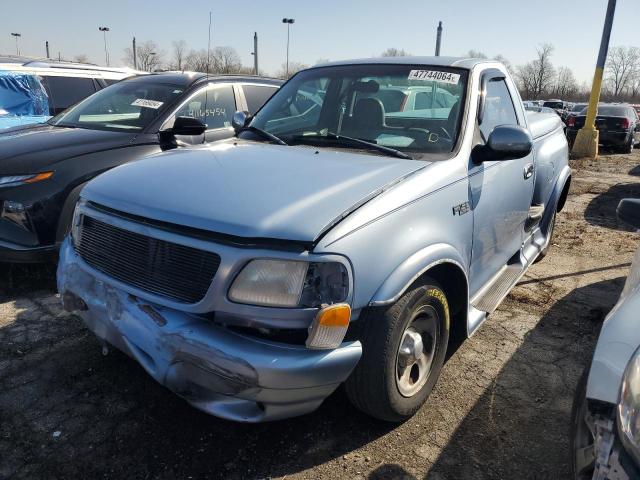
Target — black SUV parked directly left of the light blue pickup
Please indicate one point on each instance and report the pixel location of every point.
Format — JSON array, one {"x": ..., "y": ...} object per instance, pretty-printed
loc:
[{"x": 43, "y": 167}]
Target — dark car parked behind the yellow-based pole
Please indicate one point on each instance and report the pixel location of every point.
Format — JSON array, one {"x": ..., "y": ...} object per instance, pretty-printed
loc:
[{"x": 618, "y": 125}]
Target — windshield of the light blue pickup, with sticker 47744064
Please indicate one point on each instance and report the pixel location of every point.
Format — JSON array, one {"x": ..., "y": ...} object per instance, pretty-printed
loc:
[{"x": 412, "y": 109}]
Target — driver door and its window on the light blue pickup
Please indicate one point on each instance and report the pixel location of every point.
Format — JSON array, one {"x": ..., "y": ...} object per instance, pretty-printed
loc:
[{"x": 501, "y": 190}]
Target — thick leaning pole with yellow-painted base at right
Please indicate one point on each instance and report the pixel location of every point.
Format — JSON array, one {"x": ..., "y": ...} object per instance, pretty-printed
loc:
[{"x": 586, "y": 142}]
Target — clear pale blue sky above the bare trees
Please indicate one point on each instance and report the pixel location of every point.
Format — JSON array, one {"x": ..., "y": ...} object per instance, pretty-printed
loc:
[{"x": 332, "y": 29}]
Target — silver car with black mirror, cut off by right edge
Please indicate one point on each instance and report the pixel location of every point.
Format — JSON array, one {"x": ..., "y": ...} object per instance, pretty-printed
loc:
[{"x": 605, "y": 434}]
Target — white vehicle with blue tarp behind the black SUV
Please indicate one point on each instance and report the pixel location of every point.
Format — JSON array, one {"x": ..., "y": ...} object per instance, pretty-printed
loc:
[{"x": 31, "y": 91}]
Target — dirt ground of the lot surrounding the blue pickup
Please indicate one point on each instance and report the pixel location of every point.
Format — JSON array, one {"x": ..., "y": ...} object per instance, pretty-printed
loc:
[{"x": 500, "y": 409}]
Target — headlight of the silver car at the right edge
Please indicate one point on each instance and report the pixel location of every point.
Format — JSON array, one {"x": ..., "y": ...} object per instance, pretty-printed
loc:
[{"x": 629, "y": 406}]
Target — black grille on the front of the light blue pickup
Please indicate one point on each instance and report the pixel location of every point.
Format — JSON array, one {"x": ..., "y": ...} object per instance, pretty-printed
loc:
[{"x": 177, "y": 272}]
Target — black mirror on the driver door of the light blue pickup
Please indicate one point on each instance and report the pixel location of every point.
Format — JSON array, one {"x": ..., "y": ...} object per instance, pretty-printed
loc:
[{"x": 506, "y": 142}]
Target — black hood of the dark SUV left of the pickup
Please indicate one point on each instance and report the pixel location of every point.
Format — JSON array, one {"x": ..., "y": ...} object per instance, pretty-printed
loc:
[{"x": 31, "y": 148}]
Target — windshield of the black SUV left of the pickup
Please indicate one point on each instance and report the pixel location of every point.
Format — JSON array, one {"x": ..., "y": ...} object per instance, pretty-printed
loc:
[{"x": 124, "y": 106}]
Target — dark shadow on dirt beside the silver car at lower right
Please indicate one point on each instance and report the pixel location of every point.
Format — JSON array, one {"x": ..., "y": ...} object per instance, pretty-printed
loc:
[{"x": 535, "y": 387}]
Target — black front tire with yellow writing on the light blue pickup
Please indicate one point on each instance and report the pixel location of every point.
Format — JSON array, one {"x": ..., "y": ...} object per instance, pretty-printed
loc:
[{"x": 373, "y": 385}]
